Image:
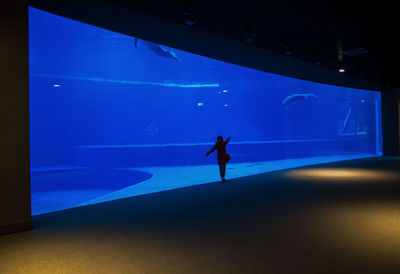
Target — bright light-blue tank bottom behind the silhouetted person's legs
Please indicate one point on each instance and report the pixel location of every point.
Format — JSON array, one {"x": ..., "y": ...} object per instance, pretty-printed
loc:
[{"x": 167, "y": 178}]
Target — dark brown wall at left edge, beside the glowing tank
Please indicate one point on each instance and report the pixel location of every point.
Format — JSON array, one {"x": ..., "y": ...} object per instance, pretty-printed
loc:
[{"x": 15, "y": 211}]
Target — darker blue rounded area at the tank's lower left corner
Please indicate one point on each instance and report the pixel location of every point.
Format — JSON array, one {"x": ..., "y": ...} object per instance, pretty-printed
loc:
[{"x": 63, "y": 187}]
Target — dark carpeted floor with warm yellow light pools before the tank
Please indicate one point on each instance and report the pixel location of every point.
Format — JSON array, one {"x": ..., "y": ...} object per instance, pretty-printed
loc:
[{"x": 334, "y": 218}]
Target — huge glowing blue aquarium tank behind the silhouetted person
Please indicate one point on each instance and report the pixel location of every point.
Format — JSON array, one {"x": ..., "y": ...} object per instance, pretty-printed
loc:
[{"x": 113, "y": 116}]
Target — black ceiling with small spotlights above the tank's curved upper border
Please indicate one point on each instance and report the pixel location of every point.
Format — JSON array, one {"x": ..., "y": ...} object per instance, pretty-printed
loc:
[{"x": 308, "y": 30}]
